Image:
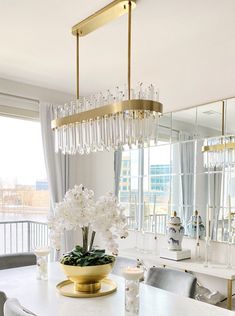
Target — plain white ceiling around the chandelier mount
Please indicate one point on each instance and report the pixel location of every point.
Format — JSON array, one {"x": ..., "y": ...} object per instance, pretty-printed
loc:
[{"x": 185, "y": 47}]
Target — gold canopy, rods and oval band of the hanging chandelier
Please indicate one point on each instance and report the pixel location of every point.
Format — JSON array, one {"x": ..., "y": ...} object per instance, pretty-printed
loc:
[{"x": 110, "y": 12}]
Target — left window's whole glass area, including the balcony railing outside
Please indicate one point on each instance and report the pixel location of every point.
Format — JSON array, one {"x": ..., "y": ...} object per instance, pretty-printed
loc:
[{"x": 24, "y": 195}]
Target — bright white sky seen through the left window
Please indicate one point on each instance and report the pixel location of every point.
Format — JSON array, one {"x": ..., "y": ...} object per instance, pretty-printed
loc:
[{"x": 21, "y": 152}]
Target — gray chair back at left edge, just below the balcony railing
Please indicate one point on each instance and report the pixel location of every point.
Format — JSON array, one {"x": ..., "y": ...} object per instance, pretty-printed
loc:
[{"x": 17, "y": 260}]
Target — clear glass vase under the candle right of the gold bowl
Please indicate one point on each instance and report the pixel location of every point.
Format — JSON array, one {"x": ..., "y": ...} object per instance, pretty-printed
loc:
[{"x": 132, "y": 296}]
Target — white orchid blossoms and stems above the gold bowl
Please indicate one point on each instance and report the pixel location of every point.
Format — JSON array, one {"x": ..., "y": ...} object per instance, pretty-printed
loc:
[{"x": 78, "y": 209}]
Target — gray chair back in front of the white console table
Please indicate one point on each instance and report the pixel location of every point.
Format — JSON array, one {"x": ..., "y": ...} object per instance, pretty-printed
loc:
[{"x": 178, "y": 282}]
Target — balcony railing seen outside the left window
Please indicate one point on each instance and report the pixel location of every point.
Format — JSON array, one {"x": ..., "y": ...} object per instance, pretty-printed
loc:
[{"x": 22, "y": 236}]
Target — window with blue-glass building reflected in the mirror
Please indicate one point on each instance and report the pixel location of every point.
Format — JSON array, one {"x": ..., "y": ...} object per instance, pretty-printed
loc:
[{"x": 145, "y": 184}]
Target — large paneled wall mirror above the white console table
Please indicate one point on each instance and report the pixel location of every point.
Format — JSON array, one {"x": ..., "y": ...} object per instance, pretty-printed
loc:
[{"x": 173, "y": 176}]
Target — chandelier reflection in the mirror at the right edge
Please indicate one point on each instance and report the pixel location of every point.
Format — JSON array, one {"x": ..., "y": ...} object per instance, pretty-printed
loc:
[{"x": 219, "y": 151}]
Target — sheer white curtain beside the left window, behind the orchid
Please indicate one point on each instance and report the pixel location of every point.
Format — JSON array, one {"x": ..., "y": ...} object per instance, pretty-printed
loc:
[{"x": 62, "y": 170}]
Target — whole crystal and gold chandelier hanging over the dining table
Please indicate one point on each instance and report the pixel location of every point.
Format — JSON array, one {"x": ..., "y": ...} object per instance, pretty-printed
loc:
[{"x": 120, "y": 118}]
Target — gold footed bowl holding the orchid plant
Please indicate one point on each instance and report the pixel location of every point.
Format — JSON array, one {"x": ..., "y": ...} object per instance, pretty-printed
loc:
[{"x": 87, "y": 279}]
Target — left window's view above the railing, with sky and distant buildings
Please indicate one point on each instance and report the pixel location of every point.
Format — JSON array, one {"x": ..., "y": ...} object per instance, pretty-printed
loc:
[{"x": 23, "y": 183}]
